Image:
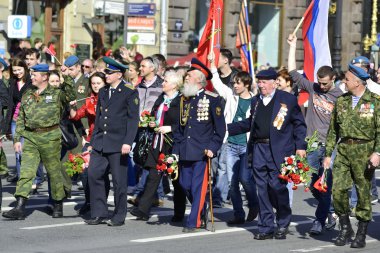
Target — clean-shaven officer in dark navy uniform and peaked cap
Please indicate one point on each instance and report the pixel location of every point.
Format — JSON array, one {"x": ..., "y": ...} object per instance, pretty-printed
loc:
[{"x": 116, "y": 123}]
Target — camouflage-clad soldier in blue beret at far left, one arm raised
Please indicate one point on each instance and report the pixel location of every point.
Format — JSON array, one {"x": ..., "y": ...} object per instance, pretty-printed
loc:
[{"x": 38, "y": 123}]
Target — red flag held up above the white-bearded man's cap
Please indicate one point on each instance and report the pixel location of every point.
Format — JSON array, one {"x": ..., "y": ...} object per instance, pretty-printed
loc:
[{"x": 215, "y": 13}]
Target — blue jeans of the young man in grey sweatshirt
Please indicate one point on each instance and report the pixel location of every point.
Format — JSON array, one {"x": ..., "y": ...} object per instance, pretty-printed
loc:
[{"x": 315, "y": 160}]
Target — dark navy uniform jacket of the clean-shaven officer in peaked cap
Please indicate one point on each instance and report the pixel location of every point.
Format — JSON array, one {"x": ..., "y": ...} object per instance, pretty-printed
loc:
[{"x": 116, "y": 119}]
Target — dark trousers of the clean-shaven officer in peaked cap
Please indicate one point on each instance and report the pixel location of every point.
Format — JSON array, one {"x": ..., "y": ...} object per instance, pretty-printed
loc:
[{"x": 100, "y": 164}]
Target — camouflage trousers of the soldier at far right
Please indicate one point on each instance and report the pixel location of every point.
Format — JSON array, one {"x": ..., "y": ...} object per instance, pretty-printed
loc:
[{"x": 349, "y": 167}]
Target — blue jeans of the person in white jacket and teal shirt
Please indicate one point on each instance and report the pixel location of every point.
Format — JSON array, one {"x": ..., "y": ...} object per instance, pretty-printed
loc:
[{"x": 237, "y": 162}]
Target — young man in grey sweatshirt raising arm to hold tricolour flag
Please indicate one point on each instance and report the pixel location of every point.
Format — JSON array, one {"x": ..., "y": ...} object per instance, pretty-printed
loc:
[{"x": 322, "y": 98}]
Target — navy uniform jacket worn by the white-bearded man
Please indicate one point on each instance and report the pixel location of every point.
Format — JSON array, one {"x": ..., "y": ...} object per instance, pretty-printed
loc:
[{"x": 191, "y": 140}]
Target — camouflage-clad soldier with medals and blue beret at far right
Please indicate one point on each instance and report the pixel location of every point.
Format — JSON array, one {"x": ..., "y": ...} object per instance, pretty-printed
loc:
[{"x": 356, "y": 122}]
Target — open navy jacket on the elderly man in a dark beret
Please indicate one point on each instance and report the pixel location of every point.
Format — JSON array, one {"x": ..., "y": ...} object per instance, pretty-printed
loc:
[{"x": 283, "y": 142}]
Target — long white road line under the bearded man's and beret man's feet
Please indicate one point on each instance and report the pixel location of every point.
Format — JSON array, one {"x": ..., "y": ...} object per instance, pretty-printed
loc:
[{"x": 223, "y": 231}]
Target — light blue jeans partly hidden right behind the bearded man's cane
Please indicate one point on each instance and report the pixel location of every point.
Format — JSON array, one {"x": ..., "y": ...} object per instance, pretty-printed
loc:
[{"x": 223, "y": 178}]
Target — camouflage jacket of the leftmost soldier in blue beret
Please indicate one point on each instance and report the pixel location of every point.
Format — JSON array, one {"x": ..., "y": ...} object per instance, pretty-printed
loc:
[{"x": 43, "y": 110}]
